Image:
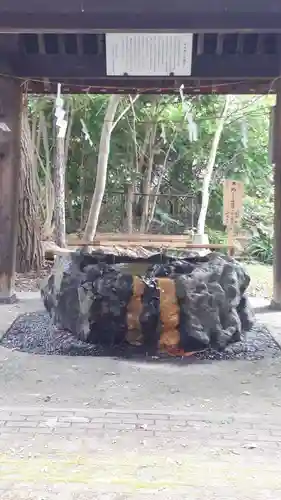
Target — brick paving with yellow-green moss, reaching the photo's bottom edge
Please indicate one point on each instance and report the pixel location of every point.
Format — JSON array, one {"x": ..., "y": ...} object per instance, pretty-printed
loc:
[{"x": 81, "y": 454}]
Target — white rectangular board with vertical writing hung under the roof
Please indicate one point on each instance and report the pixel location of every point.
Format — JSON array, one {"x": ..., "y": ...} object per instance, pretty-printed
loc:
[{"x": 148, "y": 54}]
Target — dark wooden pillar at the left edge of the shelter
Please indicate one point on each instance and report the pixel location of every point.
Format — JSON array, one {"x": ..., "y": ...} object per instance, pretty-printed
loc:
[{"x": 10, "y": 130}]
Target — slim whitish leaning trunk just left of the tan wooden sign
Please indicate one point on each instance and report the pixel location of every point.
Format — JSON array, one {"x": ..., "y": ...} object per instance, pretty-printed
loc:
[{"x": 210, "y": 168}]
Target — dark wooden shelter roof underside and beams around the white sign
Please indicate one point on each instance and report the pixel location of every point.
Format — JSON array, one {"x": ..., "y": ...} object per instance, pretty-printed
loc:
[{"x": 236, "y": 44}]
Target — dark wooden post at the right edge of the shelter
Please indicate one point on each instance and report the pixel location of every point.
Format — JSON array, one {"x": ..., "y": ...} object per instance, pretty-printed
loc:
[{"x": 276, "y": 302}]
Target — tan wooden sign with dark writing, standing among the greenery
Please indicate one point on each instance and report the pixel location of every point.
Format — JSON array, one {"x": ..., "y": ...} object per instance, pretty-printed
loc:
[{"x": 233, "y": 192}]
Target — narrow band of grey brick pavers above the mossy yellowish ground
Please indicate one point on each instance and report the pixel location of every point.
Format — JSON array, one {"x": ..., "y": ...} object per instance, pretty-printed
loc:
[{"x": 215, "y": 427}]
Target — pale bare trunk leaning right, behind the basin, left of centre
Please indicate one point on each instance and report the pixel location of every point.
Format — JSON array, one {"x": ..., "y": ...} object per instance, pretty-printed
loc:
[{"x": 104, "y": 149}]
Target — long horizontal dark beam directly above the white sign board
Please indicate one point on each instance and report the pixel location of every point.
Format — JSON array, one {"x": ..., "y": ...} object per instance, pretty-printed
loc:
[{"x": 160, "y": 21}]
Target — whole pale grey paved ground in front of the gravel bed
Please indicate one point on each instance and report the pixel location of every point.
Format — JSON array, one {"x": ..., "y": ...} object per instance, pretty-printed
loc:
[{"x": 84, "y": 428}]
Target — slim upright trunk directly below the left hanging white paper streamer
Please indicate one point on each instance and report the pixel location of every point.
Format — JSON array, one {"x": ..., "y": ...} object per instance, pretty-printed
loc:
[{"x": 59, "y": 186}]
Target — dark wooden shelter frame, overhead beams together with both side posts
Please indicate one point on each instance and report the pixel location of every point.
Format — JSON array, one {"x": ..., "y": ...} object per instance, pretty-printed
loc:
[{"x": 236, "y": 49}]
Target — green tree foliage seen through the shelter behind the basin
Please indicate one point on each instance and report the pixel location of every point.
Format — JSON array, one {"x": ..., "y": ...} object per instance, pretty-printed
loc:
[{"x": 184, "y": 133}]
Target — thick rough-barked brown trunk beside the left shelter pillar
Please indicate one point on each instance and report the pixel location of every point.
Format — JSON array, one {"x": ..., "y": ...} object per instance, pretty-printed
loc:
[{"x": 29, "y": 248}]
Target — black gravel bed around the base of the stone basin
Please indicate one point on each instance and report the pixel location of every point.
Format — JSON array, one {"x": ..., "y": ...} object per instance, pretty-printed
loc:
[{"x": 34, "y": 333}]
